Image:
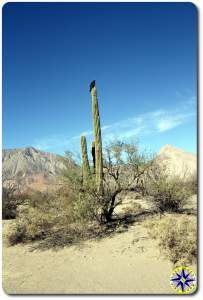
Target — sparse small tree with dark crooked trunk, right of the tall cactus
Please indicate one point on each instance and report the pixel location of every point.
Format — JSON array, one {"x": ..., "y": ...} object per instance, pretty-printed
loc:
[{"x": 125, "y": 170}]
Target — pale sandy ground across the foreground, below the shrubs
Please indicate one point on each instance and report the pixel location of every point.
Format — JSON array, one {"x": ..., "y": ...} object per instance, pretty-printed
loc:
[{"x": 128, "y": 262}]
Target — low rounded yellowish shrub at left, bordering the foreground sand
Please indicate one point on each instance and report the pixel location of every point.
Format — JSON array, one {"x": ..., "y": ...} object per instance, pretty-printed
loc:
[{"x": 38, "y": 217}]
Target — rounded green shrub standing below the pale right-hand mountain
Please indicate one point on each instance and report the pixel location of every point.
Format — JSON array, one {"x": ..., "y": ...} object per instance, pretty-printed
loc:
[{"x": 166, "y": 192}]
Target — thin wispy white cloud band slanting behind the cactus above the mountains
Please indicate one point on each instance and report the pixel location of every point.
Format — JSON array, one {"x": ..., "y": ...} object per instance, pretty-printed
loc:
[{"x": 155, "y": 122}]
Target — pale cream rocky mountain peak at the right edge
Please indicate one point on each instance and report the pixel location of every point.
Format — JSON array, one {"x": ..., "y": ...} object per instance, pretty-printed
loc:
[{"x": 177, "y": 161}]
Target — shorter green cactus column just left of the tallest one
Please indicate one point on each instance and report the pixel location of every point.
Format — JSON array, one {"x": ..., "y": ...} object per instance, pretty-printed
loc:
[{"x": 85, "y": 163}]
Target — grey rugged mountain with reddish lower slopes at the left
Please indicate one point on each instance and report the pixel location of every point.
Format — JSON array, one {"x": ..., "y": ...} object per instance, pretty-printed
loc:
[{"x": 30, "y": 167}]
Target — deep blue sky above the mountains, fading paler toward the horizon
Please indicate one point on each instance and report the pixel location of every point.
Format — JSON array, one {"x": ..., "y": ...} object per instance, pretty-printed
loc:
[{"x": 142, "y": 55}]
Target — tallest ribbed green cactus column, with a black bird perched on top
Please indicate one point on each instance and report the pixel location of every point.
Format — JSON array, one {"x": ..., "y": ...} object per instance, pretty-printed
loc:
[{"x": 98, "y": 141}]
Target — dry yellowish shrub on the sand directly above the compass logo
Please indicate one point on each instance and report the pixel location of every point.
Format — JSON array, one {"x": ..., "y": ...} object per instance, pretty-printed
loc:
[{"x": 177, "y": 237}]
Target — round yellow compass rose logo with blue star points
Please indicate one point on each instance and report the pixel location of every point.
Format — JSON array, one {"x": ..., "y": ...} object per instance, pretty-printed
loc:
[{"x": 183, "y": 280}]
